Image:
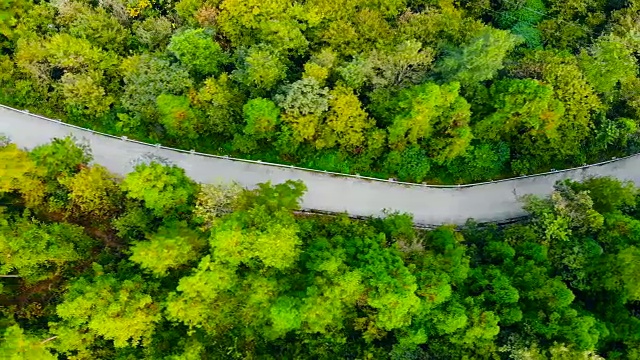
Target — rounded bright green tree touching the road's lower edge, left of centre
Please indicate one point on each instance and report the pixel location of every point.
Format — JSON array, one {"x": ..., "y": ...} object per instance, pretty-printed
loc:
[{"x": 165, "y": 190}]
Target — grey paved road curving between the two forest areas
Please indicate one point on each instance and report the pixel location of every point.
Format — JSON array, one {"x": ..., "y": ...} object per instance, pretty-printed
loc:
[{"x": 487, "y": 202}]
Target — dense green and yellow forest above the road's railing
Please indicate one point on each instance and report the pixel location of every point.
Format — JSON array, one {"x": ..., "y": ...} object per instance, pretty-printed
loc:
[{"x": 419, "y": 90}]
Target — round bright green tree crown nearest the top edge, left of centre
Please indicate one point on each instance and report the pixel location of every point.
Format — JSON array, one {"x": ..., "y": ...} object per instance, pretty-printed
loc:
[{"x": 197, "y": 51}]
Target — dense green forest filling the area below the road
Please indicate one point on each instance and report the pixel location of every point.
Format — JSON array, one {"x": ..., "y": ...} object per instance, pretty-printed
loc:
[{"x": 155, "y": 266}]
